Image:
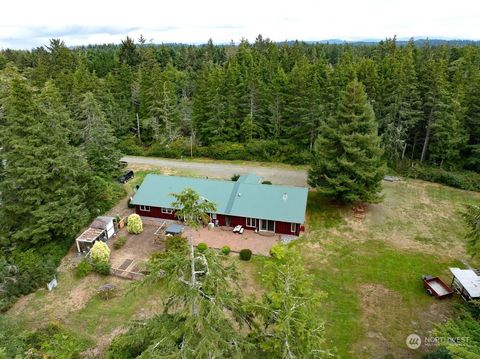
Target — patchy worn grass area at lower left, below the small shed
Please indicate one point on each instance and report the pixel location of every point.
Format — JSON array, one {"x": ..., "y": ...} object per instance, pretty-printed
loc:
[{"x": 75, "y": 306}]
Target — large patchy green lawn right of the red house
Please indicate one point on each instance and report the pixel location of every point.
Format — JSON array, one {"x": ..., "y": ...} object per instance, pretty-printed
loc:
[{"x": 371, "y": 269}]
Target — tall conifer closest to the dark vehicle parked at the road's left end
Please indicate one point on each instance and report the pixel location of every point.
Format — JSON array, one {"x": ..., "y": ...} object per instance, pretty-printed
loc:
[{"x": 99, "y": 144}]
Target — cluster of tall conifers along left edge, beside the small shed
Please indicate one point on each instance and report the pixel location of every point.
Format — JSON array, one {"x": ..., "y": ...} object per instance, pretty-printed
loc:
[{"x": 57, "y": 170}]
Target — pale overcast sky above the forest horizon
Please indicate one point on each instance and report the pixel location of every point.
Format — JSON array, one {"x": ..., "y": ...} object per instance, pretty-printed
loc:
[{"x": 26, "y": 24}]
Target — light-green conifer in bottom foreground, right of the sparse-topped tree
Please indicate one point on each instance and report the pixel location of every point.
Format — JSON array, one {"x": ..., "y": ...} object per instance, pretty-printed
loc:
[{"x": 288, "y": 329}]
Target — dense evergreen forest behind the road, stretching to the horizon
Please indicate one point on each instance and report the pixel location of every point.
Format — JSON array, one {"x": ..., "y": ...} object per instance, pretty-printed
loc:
[{"x": 266, "y": 100}]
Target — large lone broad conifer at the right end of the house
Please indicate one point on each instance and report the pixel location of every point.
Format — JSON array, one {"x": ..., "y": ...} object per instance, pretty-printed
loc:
[{"x": 347, "y": 161}]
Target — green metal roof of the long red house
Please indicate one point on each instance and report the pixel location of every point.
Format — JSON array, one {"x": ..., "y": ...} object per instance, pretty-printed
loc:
[{"x": 245, "y": 197}]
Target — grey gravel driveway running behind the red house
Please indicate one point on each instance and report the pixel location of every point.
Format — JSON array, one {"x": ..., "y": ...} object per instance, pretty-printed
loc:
[{"x": 277, "y": 175}]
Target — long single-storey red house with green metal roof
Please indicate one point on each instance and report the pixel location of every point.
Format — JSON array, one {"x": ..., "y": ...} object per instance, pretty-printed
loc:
[{"x": 246, "y": 202}]
